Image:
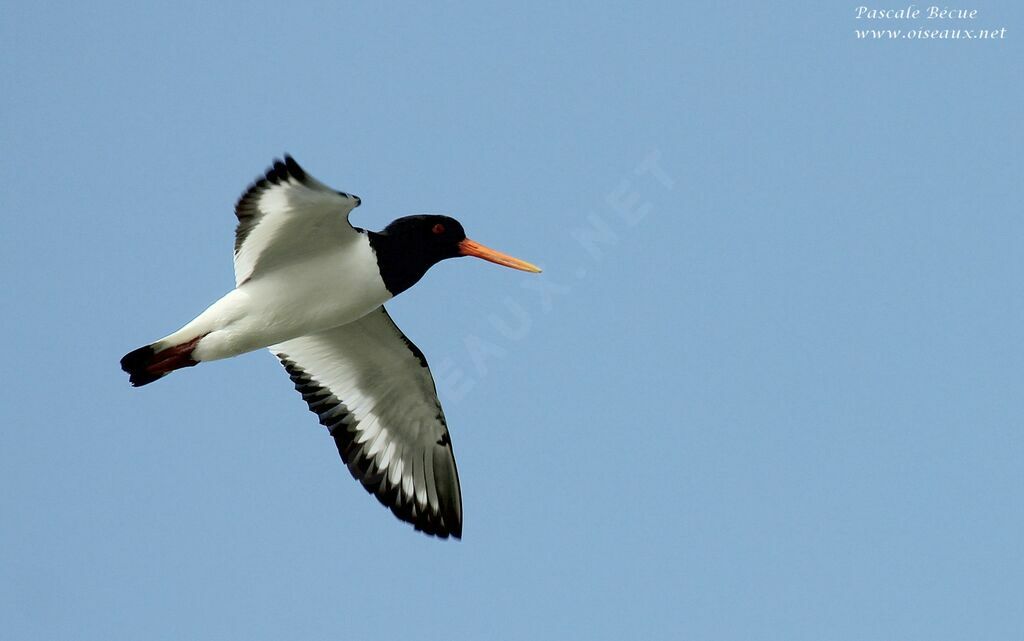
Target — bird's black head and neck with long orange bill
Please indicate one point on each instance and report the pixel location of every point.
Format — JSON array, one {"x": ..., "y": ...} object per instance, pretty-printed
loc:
[{"x": 410, "y": 246}]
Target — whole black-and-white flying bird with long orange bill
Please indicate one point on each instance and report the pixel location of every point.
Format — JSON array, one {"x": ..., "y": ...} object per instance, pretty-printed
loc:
[{"x": 311, "y": 287}]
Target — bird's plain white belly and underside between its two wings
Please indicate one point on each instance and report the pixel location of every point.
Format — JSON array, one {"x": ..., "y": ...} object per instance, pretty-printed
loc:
[{"x": 305, "y": 297}]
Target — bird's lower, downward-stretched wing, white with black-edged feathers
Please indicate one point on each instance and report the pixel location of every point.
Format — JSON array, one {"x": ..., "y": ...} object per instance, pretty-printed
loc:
[{"x": 371, "y": 388}]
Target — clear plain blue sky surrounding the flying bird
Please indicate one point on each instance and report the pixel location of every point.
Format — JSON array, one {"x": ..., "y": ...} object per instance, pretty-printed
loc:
[{"x": 769, "y": 387}]
